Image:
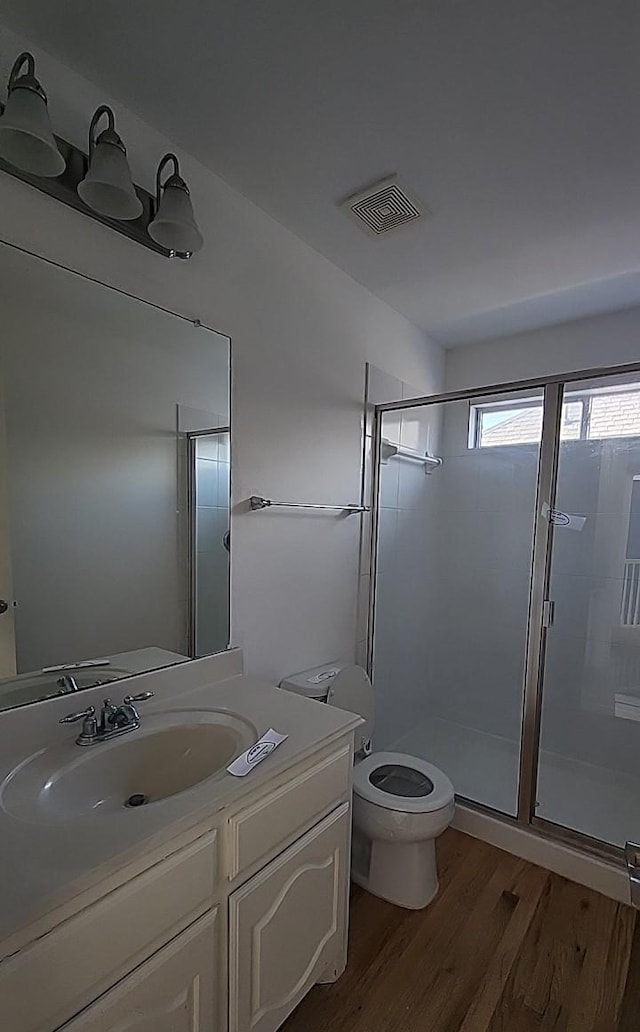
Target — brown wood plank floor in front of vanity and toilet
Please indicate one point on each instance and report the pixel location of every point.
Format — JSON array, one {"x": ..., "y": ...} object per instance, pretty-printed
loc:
[{"x": 506, "y": 947}]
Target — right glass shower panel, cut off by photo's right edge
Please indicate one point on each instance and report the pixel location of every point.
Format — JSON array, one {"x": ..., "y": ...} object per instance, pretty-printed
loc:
[{"x": 589, "y": 764}]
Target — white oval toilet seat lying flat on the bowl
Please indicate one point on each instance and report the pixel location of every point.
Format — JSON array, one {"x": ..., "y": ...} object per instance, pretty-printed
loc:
[{"x": 401, "y": 783}]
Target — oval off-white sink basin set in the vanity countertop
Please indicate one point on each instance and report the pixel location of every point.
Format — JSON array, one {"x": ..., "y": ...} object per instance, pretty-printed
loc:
[{"x": 170, "y": 754}]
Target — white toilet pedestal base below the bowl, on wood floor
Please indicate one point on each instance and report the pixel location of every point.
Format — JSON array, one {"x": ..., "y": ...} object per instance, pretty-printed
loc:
[{"x": 404, "y": 874}]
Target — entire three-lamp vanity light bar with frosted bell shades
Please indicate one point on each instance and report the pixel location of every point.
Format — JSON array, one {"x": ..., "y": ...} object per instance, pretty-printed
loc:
[{"x": 99, "y": 185}]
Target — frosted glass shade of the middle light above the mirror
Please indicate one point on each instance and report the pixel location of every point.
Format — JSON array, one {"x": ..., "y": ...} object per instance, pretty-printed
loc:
[{"x": 108, "y": 187}]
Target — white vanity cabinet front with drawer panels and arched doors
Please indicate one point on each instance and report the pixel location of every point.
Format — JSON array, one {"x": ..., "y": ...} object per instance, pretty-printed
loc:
[{"x": 225, "y": 934}]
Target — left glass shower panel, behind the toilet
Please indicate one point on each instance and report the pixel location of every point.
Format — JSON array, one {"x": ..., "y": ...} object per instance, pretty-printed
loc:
[{"x": 454, "y": 570}]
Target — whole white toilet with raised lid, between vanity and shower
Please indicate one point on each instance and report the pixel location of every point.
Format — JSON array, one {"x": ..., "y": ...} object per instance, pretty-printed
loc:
[{"x": 401, "y": 803}]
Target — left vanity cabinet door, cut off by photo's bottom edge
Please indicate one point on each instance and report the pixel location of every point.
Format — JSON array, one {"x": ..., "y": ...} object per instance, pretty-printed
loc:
[{"x": 173, "y": 992}]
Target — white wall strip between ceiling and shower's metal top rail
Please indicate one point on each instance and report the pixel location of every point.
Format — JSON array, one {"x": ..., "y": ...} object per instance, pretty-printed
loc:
[{"x": 585, "y": 344}]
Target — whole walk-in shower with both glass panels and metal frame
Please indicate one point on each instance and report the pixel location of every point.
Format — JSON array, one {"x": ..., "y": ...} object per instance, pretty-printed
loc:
[{"x": 506, "y": 612}]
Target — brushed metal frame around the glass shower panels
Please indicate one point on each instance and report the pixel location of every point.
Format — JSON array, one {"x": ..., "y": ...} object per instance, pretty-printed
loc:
[{"x": 537, "y": 626}]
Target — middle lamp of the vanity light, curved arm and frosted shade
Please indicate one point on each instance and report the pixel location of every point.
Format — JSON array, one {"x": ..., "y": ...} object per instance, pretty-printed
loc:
[{"x": 108, "y": 187}]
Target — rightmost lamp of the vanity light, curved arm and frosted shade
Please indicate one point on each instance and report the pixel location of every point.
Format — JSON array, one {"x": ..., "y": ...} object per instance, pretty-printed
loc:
[{"x": 174, "y": 227}]
